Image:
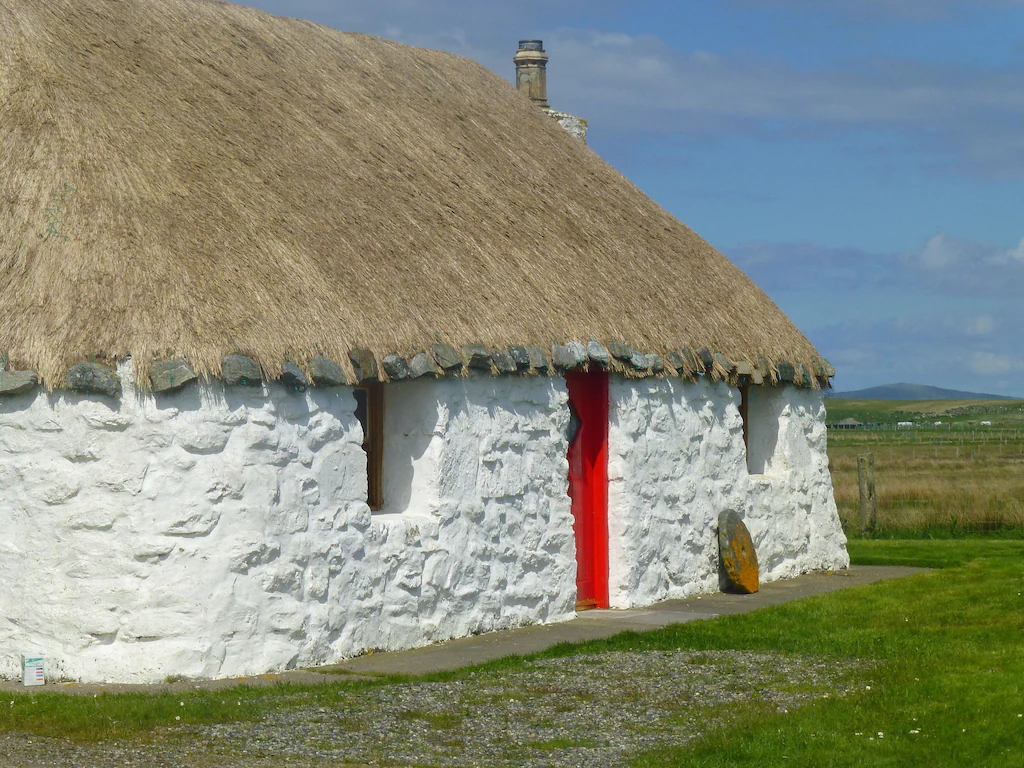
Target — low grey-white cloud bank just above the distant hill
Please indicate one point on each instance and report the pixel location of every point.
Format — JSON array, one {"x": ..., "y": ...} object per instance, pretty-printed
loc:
[{"x": 948, "y": 314}]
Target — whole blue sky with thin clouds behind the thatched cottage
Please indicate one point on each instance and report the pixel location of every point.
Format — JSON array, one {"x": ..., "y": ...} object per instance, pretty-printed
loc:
[{"x": 862, "y": 160}]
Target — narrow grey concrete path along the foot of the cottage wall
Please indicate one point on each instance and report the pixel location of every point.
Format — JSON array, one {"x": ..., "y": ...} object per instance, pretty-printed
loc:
[{"x": 590, "y": 625}]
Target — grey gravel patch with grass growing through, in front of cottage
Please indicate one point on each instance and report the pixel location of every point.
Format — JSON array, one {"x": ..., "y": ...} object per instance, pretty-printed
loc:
[{"x": 592, "y": 710}]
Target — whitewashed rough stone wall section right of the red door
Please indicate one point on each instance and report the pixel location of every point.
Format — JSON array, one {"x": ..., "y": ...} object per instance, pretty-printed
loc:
[{"x": 677, "y": 460}]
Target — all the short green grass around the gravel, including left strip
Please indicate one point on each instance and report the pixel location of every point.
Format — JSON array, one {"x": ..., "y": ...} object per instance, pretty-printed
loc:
[{"x": 947, "y": 687}]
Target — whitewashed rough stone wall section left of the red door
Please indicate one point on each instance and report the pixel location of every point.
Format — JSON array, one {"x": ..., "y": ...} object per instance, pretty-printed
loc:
[{"x": 219, "y": 533}]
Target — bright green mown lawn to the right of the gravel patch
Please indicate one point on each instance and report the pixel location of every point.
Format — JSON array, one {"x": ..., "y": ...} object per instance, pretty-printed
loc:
[{"x": 950, "y": 687}]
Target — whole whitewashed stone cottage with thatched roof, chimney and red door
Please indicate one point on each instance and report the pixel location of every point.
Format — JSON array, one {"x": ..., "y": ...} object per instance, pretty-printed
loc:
[{"x": 314, "y": 343}]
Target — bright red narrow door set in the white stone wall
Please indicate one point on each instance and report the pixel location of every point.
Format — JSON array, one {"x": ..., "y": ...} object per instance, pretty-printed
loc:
[{"x": 589, "y": 485}]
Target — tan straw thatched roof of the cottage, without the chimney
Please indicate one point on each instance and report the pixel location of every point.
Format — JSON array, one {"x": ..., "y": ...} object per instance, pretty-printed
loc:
[{"x": 199, "y": 179}]
